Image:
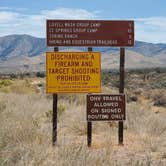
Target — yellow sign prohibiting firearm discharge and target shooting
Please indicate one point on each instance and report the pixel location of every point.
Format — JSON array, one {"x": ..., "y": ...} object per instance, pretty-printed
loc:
[{"x": 73, "y": 72}]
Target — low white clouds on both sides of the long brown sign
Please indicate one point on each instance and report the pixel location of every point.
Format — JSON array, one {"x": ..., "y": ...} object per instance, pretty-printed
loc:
[{"x": 151, "y": 29}]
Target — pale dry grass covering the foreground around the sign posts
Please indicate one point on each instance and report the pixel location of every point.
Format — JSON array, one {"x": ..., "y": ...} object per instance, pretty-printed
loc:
[{"x": 26, "y": 132}]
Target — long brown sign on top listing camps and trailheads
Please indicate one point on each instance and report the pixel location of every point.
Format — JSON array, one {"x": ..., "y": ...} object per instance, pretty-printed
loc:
[{"x": 90, "y": 33}]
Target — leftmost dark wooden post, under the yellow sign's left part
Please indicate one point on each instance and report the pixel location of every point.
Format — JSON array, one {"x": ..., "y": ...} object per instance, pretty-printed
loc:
[{"x": 54, "y": 115}]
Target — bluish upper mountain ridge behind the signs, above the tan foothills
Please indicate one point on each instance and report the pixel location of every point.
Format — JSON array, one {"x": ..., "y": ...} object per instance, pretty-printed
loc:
[{"x": 26, "y": 45}]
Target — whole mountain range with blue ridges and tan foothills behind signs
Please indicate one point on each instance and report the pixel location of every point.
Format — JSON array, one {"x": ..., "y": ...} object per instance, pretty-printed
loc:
[{"x": 25, "y": 52}]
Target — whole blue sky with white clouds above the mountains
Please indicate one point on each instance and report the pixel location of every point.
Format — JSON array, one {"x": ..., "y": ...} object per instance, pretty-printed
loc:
[{"x": 28, "y": 17}]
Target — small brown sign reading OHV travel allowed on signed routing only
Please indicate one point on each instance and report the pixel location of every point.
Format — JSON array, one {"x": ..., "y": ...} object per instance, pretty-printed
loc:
[{"x": 106, "y": 107}]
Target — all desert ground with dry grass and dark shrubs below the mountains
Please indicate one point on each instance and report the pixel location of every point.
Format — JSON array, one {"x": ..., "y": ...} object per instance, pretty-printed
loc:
[{"x": 26, "y": 123}]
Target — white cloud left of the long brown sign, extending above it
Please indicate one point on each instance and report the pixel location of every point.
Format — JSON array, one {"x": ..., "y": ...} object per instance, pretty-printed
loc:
[{"x": 18, "y": 23}]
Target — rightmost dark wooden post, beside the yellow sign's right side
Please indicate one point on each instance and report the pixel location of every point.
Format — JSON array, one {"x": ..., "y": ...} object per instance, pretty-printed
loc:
[{"x": 121, "y": 90}]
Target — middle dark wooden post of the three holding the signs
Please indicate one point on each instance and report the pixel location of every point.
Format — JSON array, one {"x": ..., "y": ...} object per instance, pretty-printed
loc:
[{"x": 89, "y": 123}]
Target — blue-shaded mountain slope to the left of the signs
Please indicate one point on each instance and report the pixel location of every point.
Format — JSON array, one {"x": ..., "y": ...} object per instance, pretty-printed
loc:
[{"x": 21, "y": 45}]
